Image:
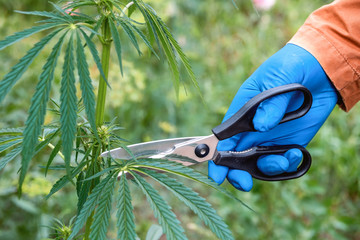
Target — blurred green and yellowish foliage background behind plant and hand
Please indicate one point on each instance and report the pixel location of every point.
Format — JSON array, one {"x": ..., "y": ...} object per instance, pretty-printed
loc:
[{"x": 224, "y": 45}]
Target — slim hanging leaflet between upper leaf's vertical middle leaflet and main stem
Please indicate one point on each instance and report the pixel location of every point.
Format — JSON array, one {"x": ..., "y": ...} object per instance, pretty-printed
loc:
[{"x": 87, "y": 89}]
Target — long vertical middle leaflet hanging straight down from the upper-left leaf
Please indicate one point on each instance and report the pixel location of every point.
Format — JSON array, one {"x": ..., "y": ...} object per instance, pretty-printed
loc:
[{"x": 68, "y": 106}]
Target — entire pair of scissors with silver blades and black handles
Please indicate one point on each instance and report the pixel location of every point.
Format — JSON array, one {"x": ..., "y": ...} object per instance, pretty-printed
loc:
[{"x": 193, "y": 150}]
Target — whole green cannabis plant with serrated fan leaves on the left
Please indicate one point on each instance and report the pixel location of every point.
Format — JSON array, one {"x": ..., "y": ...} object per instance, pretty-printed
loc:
[{"x": 80, "y": 134}]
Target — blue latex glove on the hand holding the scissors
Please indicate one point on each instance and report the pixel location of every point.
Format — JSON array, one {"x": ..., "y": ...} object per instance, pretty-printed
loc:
[{"x": 292, "y": 64}]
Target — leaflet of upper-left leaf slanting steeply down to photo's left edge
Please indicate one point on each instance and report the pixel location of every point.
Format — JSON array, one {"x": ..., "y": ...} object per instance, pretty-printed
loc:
[{"x": 18, "y": 70}]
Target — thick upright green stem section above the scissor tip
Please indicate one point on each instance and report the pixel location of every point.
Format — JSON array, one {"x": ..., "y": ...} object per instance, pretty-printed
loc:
[{"x": 105, "y": 59}]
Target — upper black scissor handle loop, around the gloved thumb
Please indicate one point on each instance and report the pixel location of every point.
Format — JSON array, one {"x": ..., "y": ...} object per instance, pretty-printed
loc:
[{"x": 242, "y": 120}]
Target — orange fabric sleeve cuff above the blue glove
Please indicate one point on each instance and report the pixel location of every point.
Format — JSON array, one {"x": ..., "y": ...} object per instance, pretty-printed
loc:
[{"x": 332, "y": 35}]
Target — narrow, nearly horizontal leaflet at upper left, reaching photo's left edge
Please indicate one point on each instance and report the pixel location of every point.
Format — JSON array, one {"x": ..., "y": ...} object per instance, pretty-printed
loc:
[{"x": 24, "y": 34}]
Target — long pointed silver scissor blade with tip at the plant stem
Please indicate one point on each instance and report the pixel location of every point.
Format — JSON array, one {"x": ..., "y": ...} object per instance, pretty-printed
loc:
[{"x": 146, "y": 149}]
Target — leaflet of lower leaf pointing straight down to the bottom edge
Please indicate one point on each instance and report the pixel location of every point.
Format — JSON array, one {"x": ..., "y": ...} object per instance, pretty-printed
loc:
[{"x": 125, "y": 216}]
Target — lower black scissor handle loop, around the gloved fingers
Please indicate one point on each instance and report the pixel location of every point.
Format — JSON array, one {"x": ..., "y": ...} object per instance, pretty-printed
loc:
[{"x": 247, "y": 161}]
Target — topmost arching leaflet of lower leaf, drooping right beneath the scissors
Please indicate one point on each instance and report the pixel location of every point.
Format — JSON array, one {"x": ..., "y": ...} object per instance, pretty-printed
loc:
[{"x": 182, "y": 171}]
